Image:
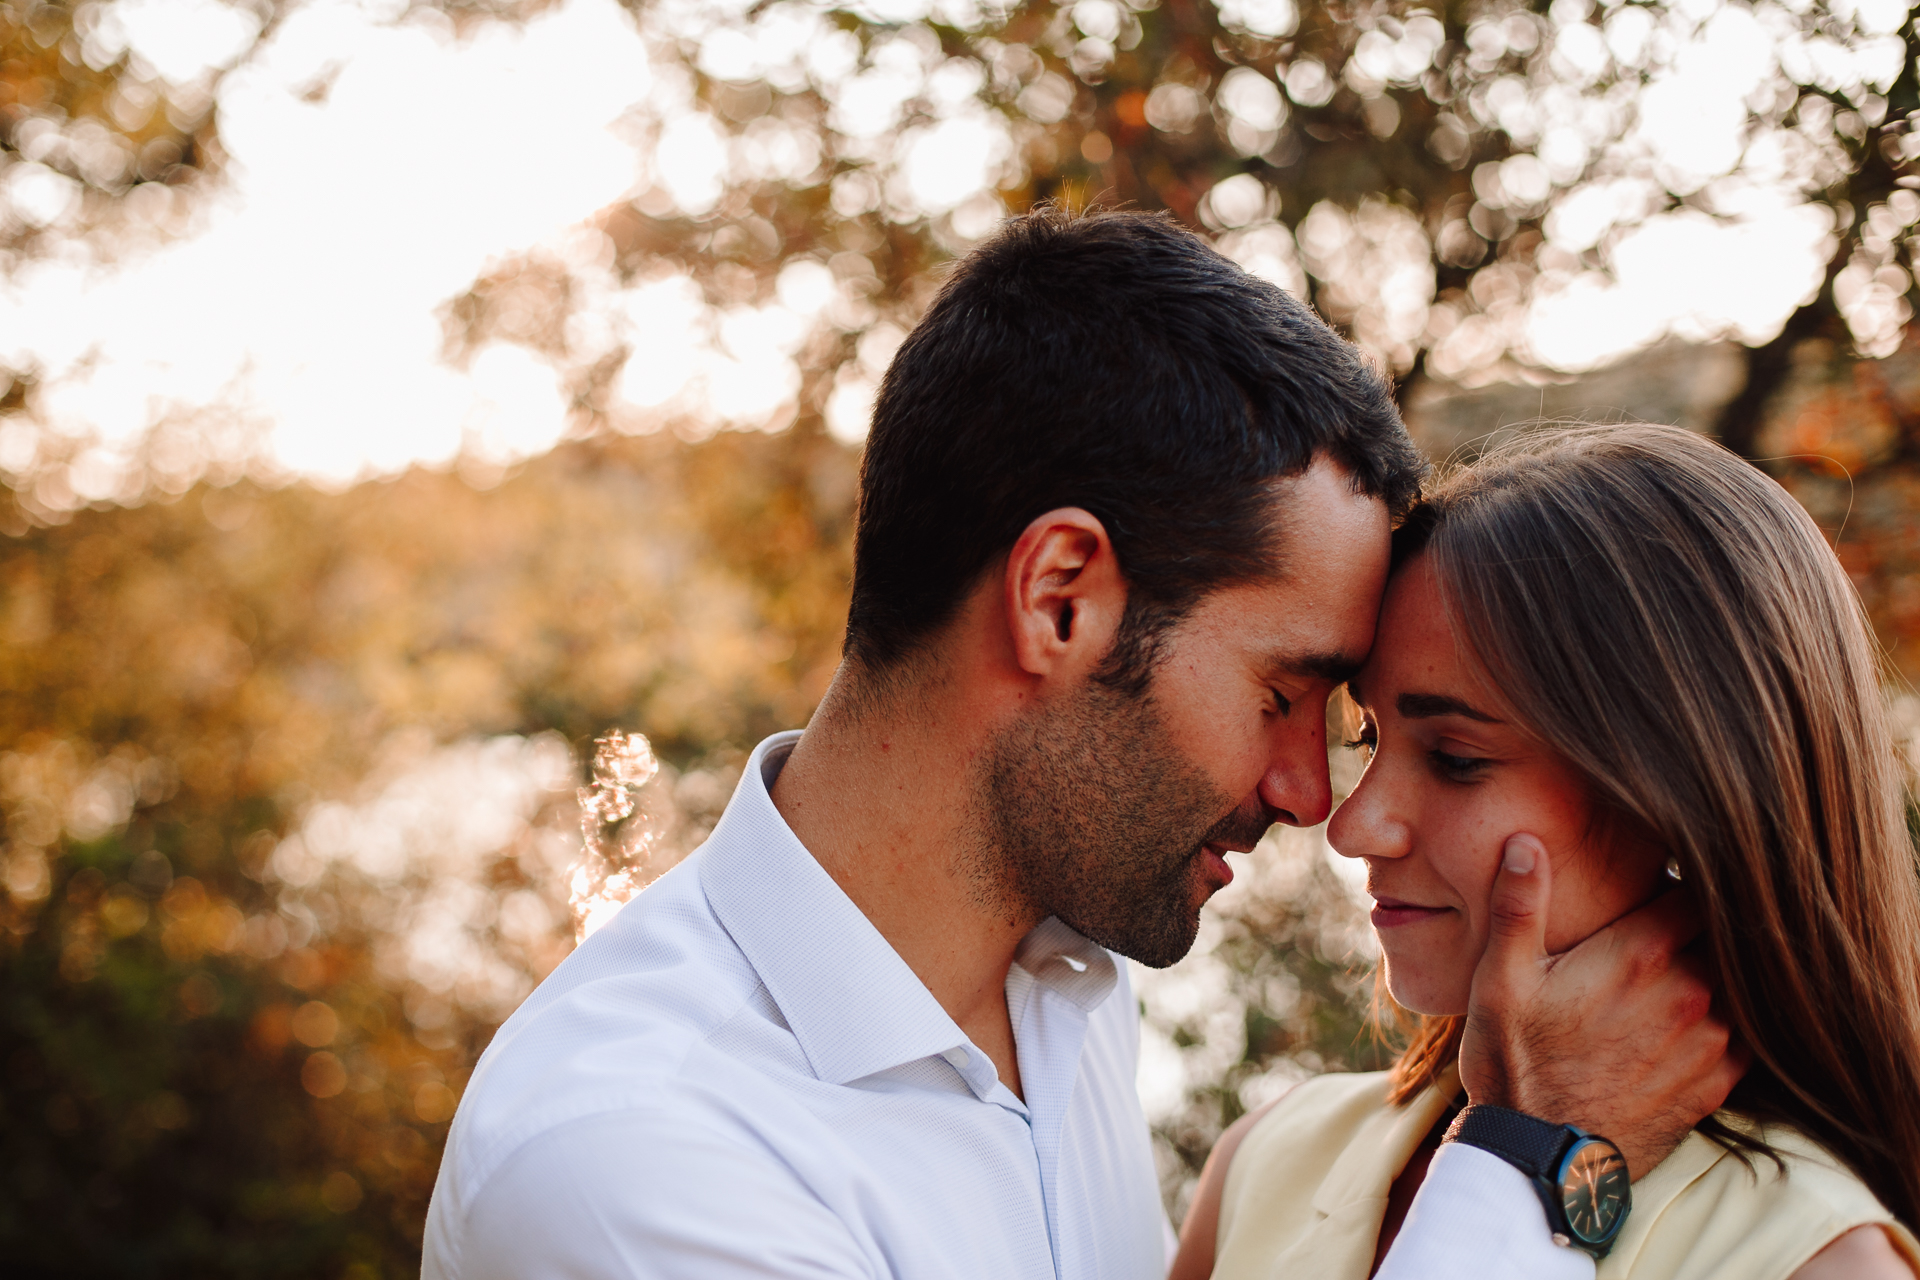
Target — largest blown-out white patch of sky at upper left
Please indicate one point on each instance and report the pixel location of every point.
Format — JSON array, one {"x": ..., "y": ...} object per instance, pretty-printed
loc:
[{"x": 310, "y": 298}]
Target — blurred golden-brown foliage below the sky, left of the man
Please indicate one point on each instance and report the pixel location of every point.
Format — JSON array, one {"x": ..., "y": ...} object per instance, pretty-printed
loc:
[{"x": 289, "y": 826}]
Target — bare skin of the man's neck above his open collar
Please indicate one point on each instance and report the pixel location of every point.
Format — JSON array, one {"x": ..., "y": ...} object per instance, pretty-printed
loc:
[{"x": 880, "y": 792}]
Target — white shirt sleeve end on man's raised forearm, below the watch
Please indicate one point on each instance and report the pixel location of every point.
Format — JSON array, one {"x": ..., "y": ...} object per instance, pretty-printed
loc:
[{"x": 1477, "y": 1218}]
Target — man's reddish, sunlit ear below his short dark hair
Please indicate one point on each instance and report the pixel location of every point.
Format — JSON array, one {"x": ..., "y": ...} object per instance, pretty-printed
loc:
[{"x": 1065, "y": 594}]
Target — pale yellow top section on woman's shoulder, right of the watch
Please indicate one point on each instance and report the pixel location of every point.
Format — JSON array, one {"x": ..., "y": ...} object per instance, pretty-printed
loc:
[{"x": 1708, "y": 1210}]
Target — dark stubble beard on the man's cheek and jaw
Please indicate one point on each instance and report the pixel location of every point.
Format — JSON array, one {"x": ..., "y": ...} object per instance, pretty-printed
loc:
[{"x": 1092, "y": 815}]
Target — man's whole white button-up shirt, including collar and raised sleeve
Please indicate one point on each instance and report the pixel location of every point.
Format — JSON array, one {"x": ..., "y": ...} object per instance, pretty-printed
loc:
[{"x": 740, "y": 1078}]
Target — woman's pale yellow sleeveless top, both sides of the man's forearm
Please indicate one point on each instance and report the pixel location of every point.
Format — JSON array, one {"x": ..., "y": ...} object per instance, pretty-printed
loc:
[{"x": 1307, "y": 1195}]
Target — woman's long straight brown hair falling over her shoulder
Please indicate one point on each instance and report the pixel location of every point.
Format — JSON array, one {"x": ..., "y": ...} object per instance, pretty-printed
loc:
[{"x": 1677, "y": 628}]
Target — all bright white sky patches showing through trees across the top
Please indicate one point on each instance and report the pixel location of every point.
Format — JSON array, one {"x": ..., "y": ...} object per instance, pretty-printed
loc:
[{"x": 308, "y": 298}]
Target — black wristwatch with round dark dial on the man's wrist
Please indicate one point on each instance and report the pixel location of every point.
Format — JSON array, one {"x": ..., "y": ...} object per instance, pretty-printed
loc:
[{"x": 1581, "y": 1179}]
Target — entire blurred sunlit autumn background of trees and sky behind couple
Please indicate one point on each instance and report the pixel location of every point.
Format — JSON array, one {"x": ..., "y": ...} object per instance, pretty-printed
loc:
[{"x": 429, "y": 439}]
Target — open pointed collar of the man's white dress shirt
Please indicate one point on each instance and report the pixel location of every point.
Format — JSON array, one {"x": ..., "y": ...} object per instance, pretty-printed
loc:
[{"x": 853, "y": 1005}]
